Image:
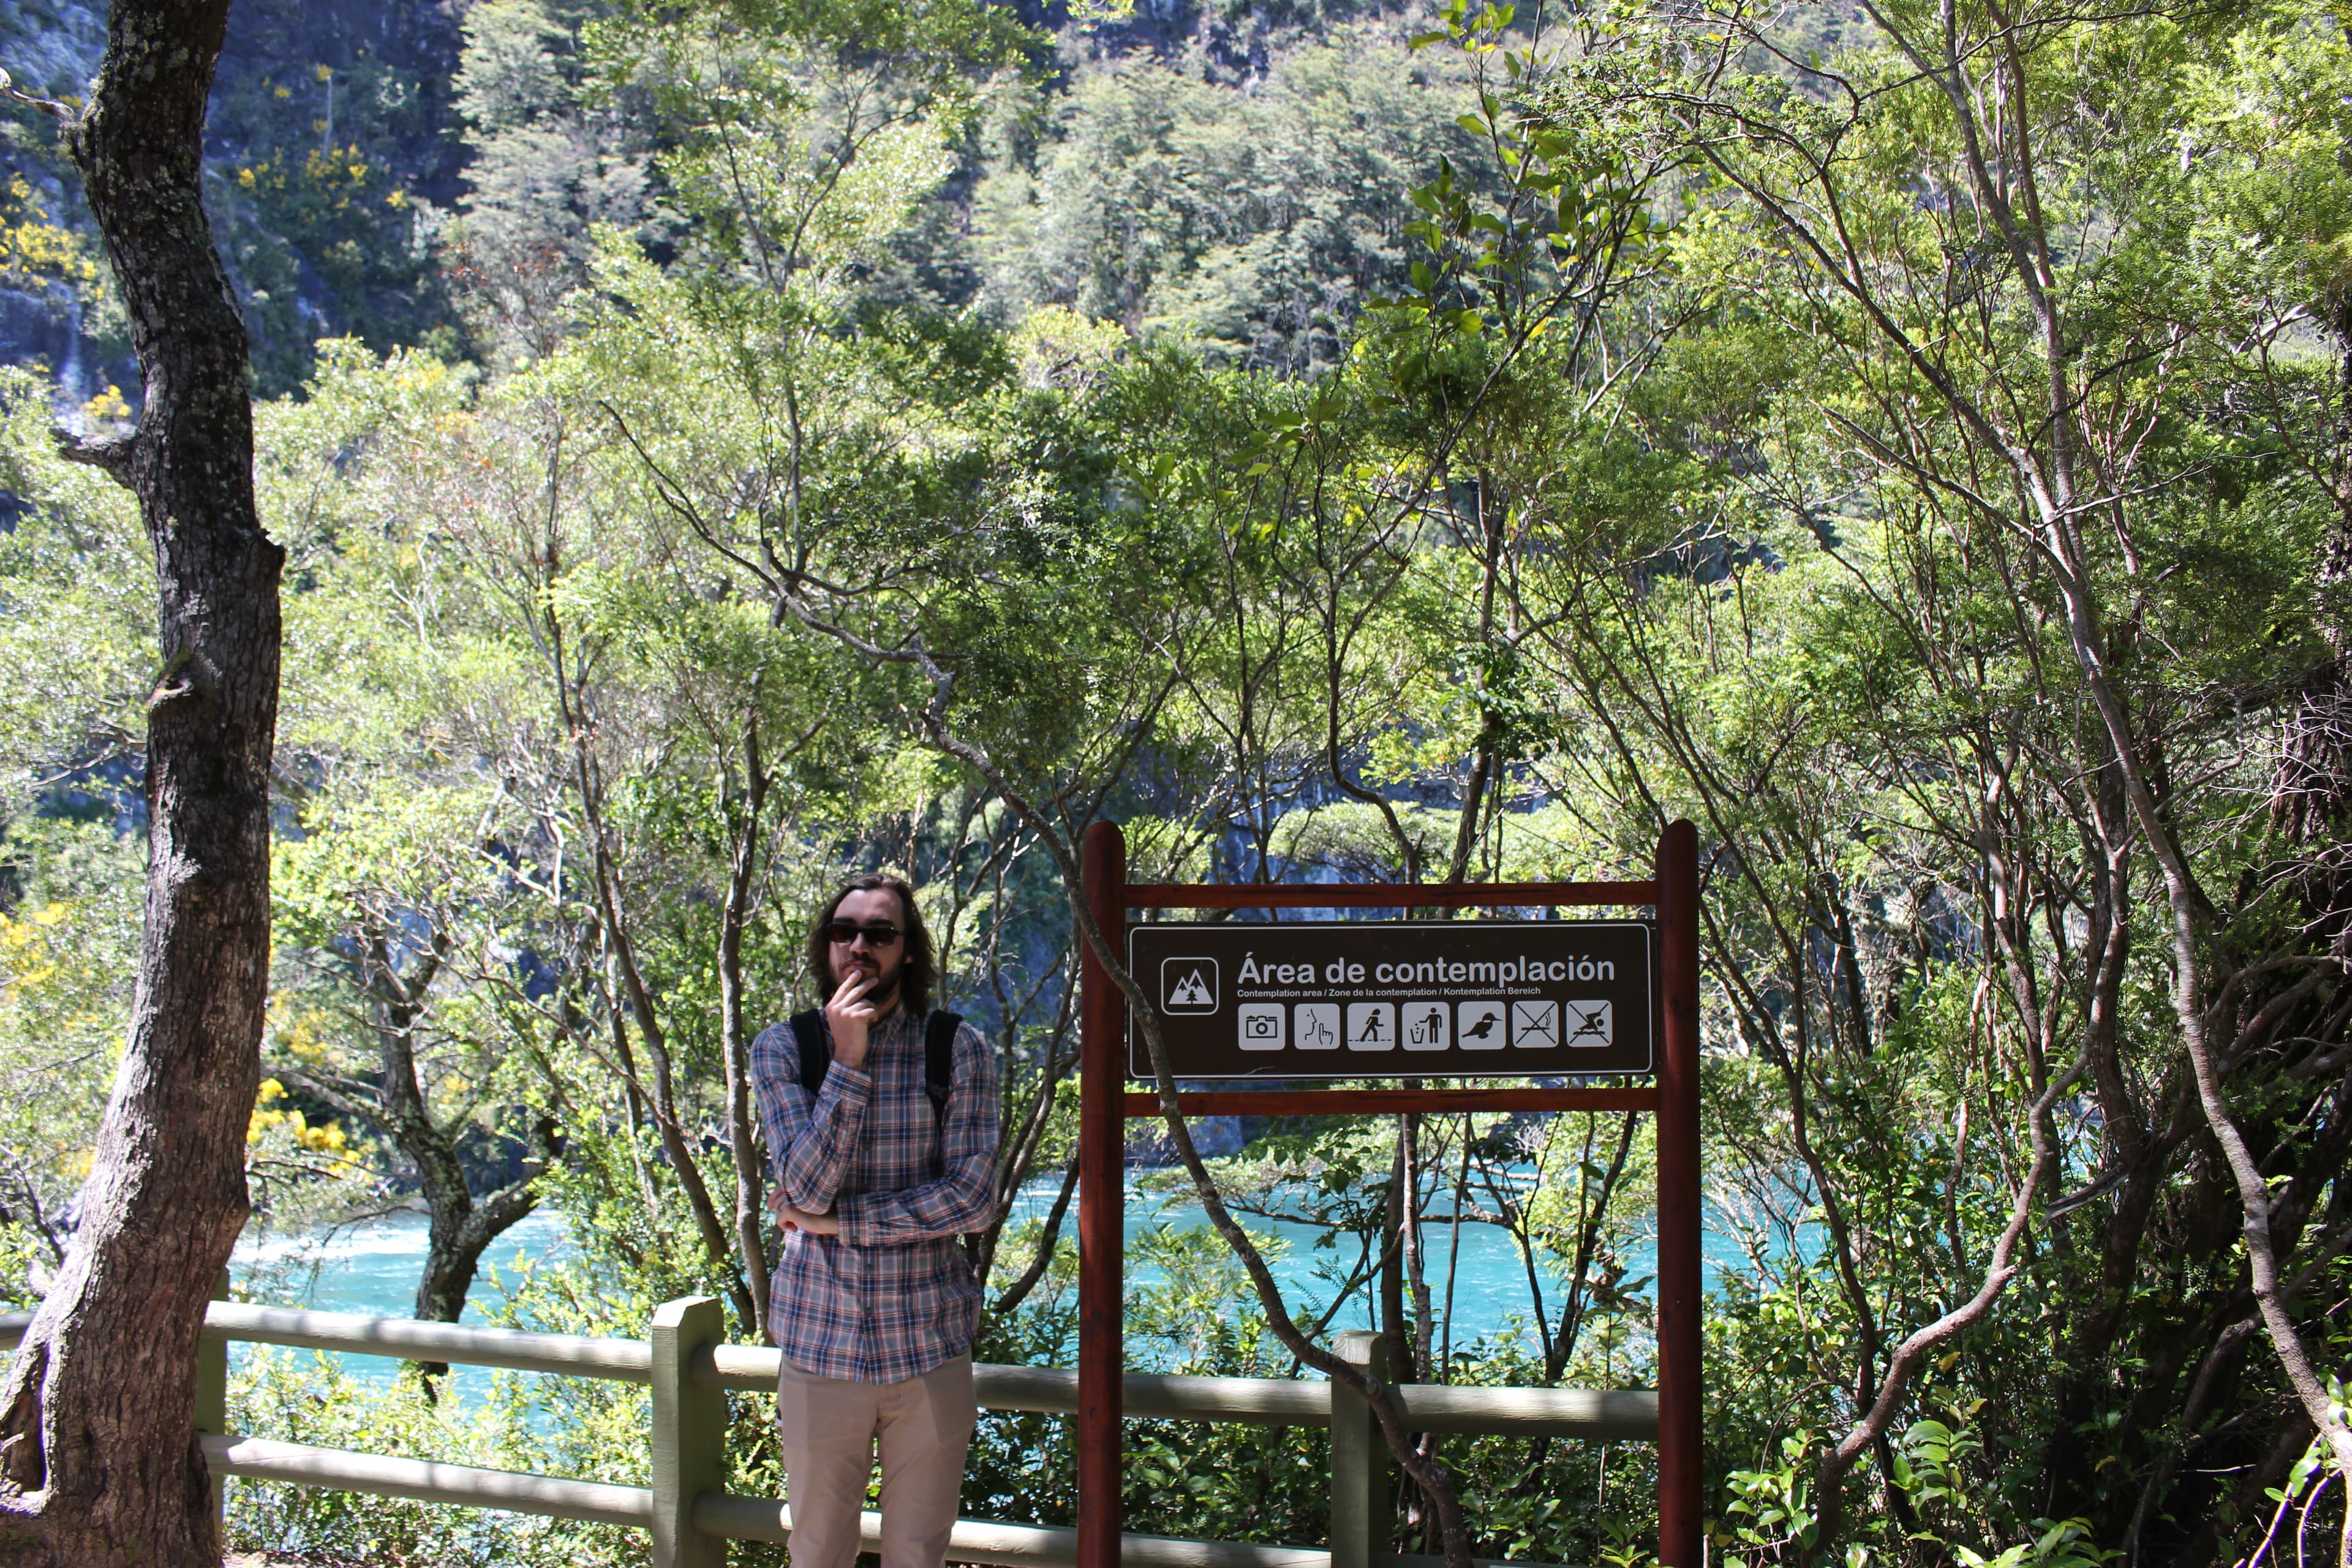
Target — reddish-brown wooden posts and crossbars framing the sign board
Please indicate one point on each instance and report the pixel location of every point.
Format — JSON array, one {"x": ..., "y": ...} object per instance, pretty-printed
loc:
[{"x": 1104, "y": 1111}]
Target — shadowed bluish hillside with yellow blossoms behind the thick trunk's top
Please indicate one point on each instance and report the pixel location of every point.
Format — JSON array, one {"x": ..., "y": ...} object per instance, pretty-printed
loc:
[{"x": 333, "y": 149}]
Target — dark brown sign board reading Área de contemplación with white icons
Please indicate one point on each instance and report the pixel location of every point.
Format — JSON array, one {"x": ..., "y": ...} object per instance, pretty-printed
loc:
[{"x": 1365, "y": 1000}]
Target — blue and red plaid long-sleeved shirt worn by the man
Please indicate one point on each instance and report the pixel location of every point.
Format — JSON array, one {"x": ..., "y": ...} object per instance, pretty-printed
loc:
[{"x": 893, "y": 1296}]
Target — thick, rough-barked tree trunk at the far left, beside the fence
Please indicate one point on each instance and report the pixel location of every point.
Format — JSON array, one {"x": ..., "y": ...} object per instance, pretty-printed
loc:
[{"x": 98, "y": 1452}]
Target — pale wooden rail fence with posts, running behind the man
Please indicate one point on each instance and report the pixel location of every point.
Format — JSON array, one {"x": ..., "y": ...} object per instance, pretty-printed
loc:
[{"x": 690, "y": 1372}]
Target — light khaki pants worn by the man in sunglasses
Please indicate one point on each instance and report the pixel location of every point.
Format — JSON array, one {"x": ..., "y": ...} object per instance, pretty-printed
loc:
[{"x": 829, "y": 1430}]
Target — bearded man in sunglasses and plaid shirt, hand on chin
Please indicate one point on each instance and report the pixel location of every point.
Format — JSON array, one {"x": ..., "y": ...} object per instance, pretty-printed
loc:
[{"x": 878, "y": 1170}]
